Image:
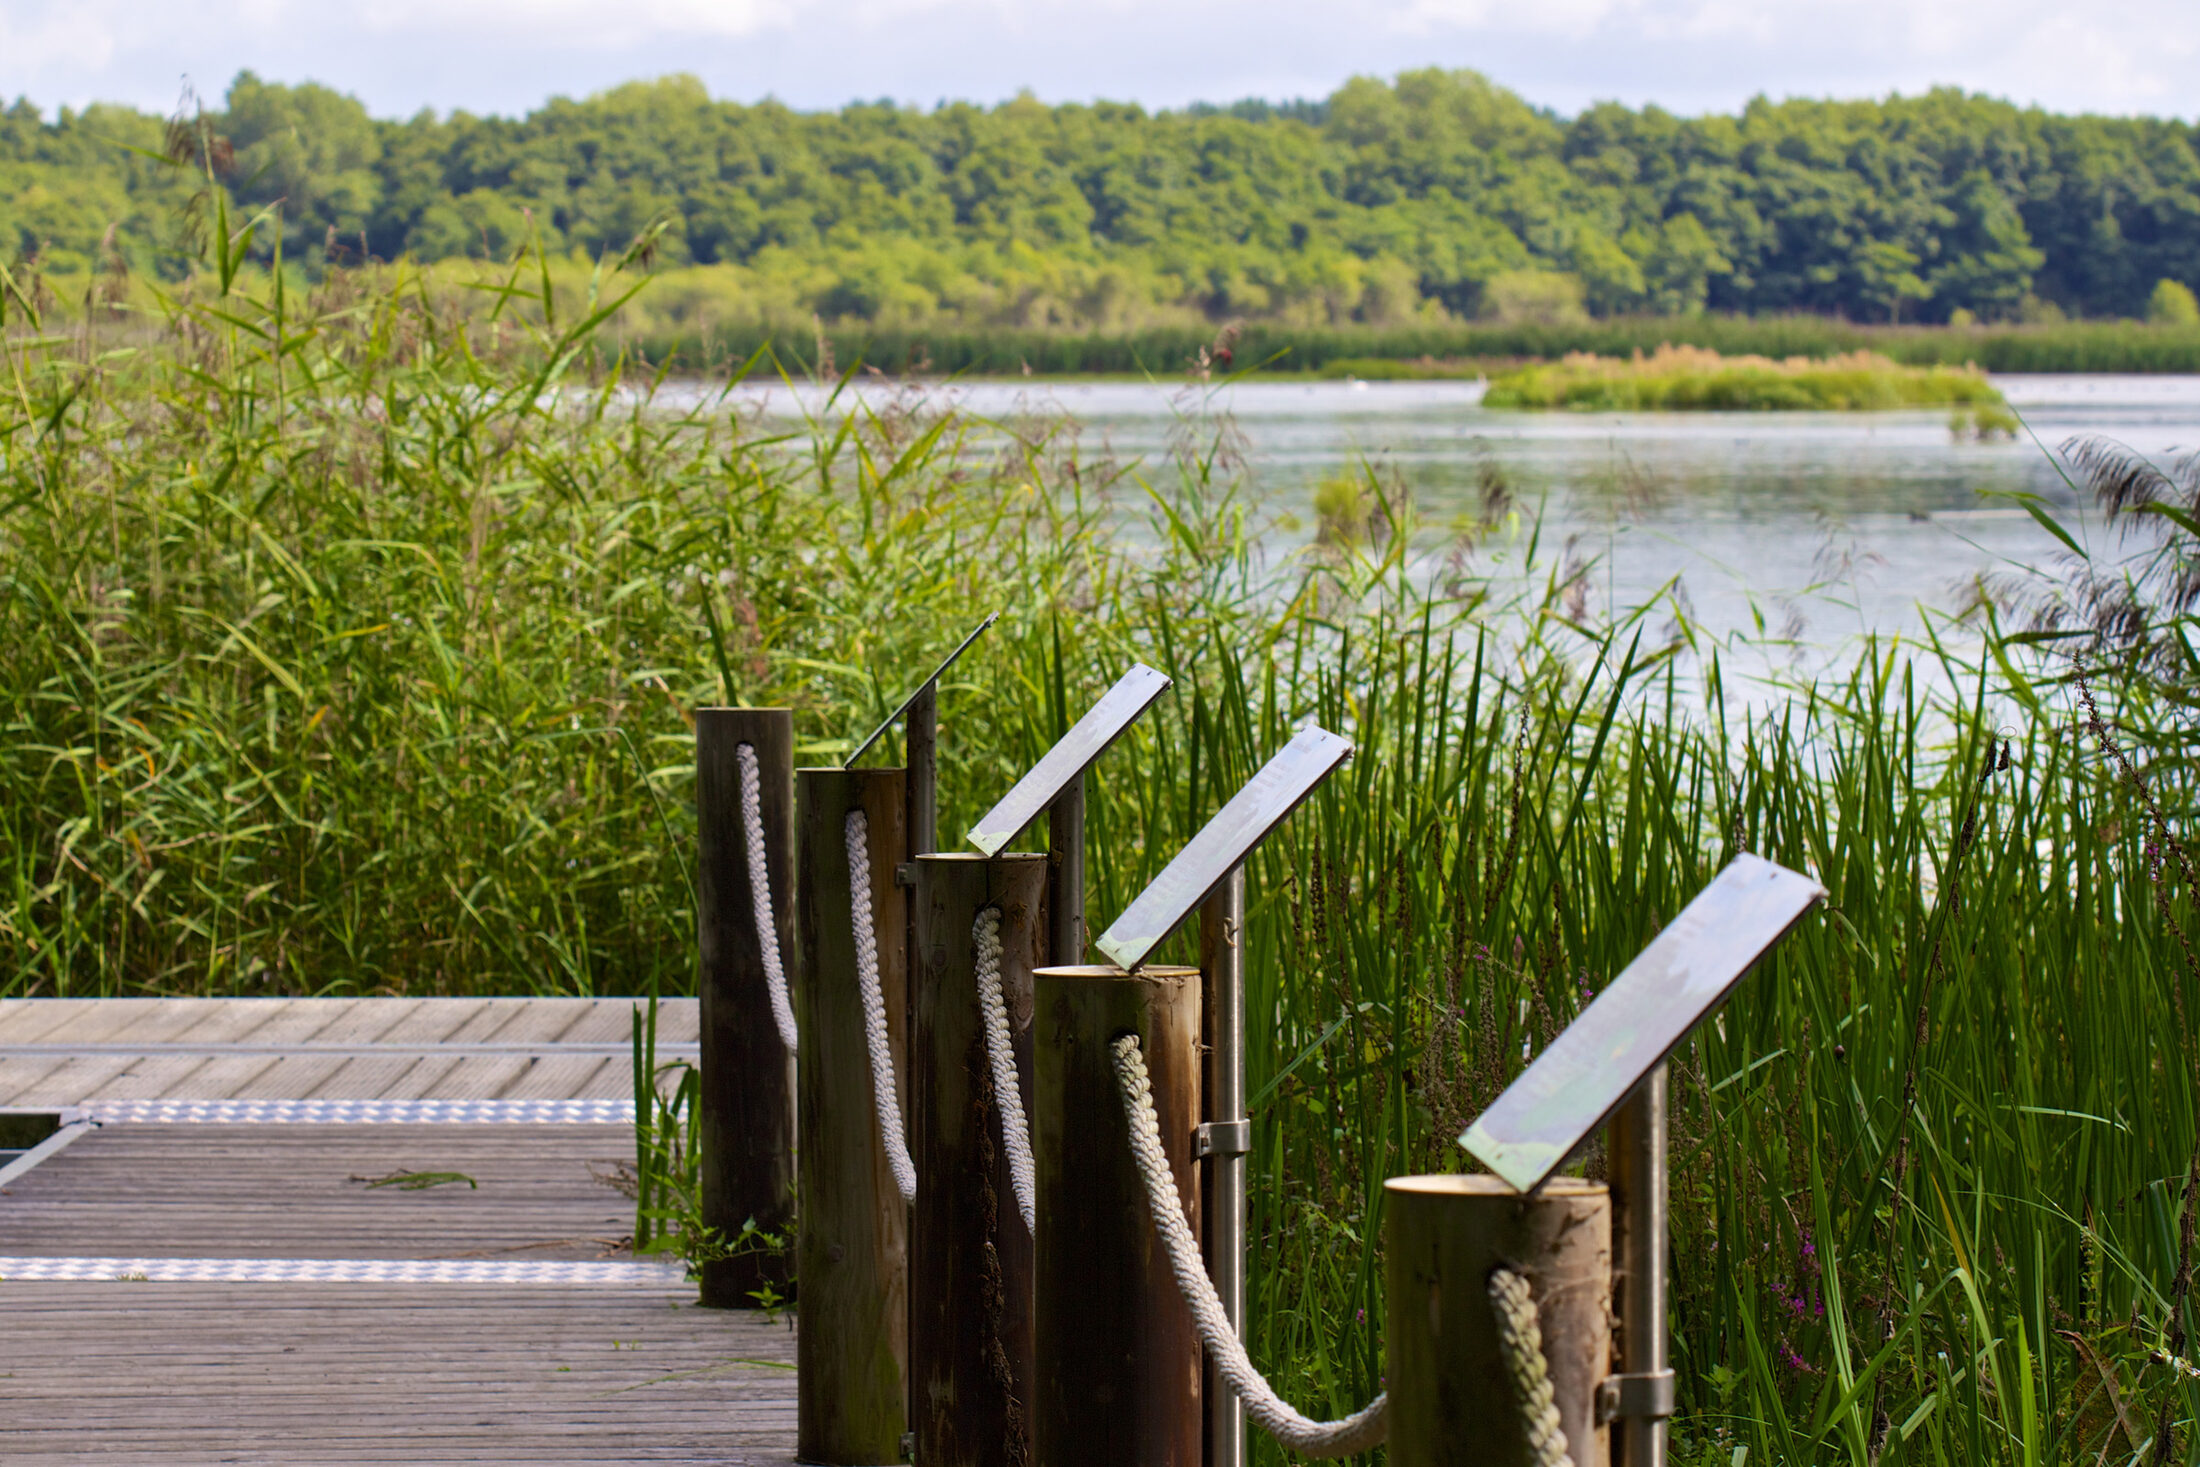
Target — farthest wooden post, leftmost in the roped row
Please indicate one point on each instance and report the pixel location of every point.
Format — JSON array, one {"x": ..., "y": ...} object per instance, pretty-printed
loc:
[{"x": 747, "y": 1070}]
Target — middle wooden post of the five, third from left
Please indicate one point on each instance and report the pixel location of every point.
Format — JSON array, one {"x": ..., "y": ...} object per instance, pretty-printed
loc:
[{"x": 969, "y": 1253}]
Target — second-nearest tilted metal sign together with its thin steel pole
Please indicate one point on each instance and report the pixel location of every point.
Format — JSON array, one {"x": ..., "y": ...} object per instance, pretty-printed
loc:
[{"x": 1209, "y": 876}]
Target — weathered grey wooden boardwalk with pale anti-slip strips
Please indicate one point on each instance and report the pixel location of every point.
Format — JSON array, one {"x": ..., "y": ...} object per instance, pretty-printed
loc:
[{"x": 181, "y": 1286}]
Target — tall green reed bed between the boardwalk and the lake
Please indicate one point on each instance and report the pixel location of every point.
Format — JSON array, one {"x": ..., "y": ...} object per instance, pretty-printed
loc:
[{"x": 353, "y": 643}]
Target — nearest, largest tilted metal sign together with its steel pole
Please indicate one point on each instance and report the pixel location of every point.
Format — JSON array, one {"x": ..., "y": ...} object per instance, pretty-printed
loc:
[{"x": 1611, "y": 1066}]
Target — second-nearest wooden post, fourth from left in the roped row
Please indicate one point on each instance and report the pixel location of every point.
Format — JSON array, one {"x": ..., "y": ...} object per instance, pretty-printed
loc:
[{"x": 1116, "y": 1358}]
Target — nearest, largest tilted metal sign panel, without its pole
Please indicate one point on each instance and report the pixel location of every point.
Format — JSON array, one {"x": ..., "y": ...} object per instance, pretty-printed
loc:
[{"x": 1638, "y": 1019}]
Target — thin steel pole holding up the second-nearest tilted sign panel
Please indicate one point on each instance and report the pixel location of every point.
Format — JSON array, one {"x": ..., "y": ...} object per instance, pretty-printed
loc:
[{"x": 1222, "y": 969}]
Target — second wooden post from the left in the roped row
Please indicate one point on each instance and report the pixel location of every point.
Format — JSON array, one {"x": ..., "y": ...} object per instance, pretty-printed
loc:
[{"x": 852, "y": 1347}]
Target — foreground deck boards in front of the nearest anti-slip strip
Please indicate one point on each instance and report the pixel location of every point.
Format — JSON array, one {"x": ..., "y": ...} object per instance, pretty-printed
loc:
[{"x": 366, "y": 1374}]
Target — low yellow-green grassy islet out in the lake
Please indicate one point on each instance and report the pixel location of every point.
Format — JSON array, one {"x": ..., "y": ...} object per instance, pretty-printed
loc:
[{"x": 1706, "y": 382}]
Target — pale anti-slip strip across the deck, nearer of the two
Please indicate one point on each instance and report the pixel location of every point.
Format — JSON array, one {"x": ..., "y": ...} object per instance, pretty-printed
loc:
[{"x": 628, "y": 1272}]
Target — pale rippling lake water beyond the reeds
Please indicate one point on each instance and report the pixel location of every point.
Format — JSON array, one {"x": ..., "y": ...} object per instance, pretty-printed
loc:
[{"x": 1790, "y": 536}]
